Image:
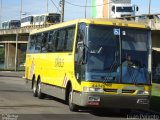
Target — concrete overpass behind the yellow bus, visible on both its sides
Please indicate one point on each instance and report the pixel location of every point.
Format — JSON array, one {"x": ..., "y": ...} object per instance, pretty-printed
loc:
[{"x": 14, "y": 40}]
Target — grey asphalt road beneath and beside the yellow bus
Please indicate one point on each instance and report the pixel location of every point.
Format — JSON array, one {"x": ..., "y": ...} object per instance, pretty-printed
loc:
[{"x": 17, "y": 103}]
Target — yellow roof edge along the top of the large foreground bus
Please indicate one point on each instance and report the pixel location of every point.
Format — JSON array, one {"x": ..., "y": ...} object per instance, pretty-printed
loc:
[{"x": 113, "y": 22}]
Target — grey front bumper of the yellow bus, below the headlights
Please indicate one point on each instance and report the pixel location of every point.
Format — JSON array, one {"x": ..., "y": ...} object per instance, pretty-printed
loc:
[{"x": 113, "y": 101}]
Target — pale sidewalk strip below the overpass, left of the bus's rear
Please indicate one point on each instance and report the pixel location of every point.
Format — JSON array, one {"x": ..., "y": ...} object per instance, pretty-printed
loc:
[{"x": 11, "y": 74}]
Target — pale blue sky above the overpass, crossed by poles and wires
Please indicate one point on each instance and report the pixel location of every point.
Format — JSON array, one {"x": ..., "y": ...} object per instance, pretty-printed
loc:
[{"x": 11, "y": 8}]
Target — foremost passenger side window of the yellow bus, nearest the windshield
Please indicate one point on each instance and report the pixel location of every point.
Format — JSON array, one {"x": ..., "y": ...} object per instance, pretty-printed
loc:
[{"x": 70, "y": 32}]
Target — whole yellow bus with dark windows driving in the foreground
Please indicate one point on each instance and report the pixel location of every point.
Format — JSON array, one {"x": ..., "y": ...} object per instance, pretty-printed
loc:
[{"x": 95, "y": 63}]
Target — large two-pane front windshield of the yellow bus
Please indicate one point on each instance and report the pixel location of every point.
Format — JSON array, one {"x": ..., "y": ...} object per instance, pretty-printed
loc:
[{"x": 103, "y": 55}]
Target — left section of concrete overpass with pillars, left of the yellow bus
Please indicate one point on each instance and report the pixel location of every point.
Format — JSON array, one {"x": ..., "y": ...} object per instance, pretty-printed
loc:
[{"x": 14, "y": 45}]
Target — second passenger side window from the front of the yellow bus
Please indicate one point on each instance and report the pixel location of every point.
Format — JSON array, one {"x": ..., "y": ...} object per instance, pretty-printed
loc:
[{"x": 61, "y": 40}]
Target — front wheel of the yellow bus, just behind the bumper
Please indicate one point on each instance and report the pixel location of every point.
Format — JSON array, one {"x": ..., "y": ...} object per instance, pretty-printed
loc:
[{"x": 72, "y": 106}]
